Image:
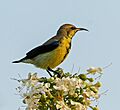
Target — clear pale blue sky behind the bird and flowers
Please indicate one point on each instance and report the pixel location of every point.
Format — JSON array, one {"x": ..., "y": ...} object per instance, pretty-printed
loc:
[{"x": 25, "y": 24}]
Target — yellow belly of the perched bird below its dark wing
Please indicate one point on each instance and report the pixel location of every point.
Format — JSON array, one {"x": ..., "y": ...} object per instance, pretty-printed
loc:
[{"x": 50, "y": 59}]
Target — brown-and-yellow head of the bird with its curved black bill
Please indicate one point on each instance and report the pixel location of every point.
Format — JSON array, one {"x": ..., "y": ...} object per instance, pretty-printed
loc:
[{"x": 69, "y": 30}]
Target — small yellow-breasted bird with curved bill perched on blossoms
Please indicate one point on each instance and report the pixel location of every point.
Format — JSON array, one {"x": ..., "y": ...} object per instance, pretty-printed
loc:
[{"x": 54, "y": 51}]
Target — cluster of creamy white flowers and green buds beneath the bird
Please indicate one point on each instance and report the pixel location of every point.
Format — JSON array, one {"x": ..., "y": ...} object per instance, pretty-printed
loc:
[{"x": 62, "y": 91}]
